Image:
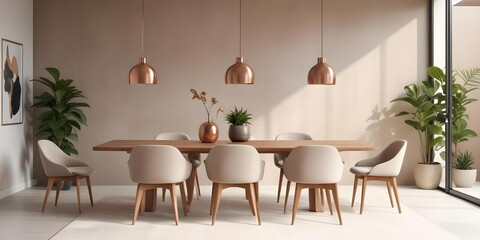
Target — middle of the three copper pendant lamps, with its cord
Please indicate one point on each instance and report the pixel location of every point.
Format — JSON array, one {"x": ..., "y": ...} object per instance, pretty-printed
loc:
[{"x": 239, "y": 72}]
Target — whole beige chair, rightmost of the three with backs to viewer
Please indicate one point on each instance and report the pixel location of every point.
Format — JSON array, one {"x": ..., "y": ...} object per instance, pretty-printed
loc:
[{"x": 314, "y": 166}]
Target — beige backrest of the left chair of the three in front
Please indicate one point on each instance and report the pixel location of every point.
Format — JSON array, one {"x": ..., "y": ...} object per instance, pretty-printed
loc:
[{"x": 158, "y": 164}]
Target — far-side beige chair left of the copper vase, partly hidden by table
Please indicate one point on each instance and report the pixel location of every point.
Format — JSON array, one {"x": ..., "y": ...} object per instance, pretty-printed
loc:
[{"x": 194, "y": 158}]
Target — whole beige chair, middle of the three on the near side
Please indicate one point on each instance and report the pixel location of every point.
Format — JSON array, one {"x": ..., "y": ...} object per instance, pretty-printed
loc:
[{"x": 232, "y": 165}]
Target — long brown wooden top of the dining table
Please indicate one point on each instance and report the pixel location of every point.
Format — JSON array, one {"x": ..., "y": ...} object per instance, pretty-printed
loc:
[{"x": 262, "y": 146}]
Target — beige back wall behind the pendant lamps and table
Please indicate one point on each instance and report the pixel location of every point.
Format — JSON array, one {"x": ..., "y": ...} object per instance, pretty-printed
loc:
[{"x": 376, "y": 47}]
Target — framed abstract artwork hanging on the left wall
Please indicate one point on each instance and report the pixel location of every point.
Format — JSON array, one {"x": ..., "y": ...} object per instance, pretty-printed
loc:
[{"x": 12, "y": 82}]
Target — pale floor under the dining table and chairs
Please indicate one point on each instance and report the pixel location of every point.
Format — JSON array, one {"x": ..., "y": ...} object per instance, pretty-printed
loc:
[{"x": 426, "y": 214}]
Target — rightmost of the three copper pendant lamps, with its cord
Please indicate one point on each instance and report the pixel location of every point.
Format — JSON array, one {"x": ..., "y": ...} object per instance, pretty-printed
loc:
[{"x": 321, "y": 73}]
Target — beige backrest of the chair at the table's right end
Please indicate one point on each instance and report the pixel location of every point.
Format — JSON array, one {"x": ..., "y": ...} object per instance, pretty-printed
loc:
[{"x": 389, "y": 161}]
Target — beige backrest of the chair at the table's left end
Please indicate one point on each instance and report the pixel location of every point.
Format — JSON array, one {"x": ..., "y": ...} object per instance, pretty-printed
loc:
[{"x": 54, "y": 160}]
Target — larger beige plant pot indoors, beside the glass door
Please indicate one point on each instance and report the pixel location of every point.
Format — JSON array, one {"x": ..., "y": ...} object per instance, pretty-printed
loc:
[{"x": 428, "y": 176}]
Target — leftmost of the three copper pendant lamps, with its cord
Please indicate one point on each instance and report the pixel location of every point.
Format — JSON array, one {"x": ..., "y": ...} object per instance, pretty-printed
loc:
[{"x": 142, "y": 73}]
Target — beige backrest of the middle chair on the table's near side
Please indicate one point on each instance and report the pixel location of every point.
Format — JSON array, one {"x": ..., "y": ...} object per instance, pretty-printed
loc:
[{"x": 231, "y": 163}]
